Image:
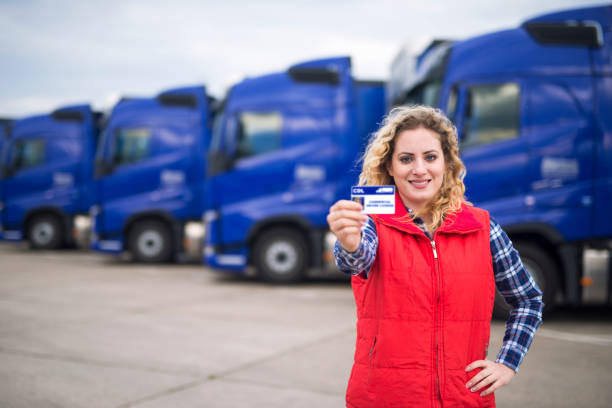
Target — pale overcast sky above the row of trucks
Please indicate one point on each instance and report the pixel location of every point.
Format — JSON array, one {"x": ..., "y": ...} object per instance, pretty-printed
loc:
[{"x": 54, "y": 53}]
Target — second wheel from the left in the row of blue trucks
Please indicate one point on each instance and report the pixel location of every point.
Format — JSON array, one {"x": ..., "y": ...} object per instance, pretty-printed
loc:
[{"x": 151, "y": 242}]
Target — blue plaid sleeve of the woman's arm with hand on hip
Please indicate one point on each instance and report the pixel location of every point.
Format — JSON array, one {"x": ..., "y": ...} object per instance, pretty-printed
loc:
[{"x": 520, "y": 292}]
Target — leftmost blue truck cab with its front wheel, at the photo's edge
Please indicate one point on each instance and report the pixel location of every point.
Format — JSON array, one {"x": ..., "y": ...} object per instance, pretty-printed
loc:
[{"x": 47, "y": 175}]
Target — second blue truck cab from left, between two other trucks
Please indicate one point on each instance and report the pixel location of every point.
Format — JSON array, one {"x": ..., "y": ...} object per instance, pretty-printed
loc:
[{"x": 150, "y": 171}]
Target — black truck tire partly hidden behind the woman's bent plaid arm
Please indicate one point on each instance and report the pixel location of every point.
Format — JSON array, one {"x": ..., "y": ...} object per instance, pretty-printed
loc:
[{"x": 544, "y": 271}]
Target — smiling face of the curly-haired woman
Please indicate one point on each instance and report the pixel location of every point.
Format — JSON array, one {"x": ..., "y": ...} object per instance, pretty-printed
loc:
[{"x": 417, "y": 166}]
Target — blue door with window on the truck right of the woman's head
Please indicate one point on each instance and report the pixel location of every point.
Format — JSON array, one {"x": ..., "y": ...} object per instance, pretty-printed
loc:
[{"x": 490, "y": 118}]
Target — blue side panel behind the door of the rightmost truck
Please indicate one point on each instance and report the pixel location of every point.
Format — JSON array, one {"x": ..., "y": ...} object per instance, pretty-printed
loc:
[{"x": 561, "y": 135}]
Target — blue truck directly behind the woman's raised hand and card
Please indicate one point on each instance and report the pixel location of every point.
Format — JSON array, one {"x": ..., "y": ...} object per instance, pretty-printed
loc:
[{"x": 284, "y": 149}]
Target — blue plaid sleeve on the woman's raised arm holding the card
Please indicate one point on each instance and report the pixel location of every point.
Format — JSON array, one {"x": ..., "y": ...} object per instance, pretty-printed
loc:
[{"x": 360, "y": 261}]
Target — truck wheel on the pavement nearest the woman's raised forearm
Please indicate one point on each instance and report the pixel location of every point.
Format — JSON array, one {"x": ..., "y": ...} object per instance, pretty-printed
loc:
[{"x": 280, "y": 256}]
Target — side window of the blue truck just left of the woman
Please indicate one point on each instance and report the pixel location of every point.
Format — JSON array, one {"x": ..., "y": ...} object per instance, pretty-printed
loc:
[{"x": 258, "y": 133}]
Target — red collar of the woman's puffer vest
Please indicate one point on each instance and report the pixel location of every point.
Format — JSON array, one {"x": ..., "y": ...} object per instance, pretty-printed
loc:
[{"x": 461, "y": 222}]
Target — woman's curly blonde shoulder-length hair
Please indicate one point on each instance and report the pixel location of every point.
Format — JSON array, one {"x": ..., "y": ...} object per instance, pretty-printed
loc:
[{"x": 379, "y": 151}]
